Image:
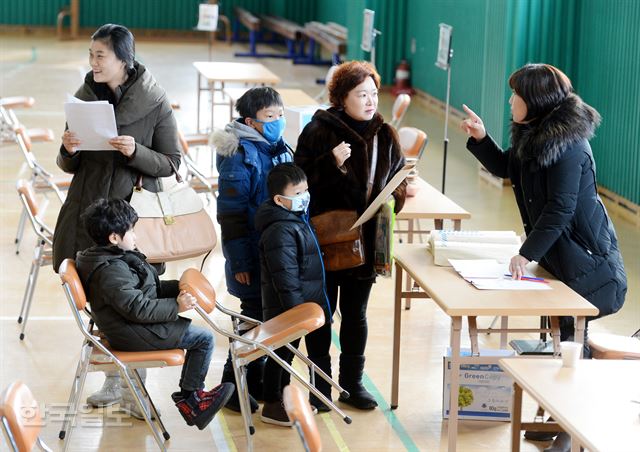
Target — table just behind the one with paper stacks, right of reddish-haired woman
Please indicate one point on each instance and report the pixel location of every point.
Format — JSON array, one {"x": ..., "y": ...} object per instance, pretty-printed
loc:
[{"x": 428, "y": 204}]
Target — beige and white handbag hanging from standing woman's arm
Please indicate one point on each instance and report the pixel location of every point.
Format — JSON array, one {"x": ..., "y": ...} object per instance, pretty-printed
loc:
[{"x": 172, "y": 224}]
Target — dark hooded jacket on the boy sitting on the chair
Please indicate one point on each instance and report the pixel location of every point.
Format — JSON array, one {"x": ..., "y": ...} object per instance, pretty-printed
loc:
[{"x": 131, "y": 306}]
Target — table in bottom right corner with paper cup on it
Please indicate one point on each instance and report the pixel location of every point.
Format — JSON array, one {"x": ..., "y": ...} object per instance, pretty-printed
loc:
[{"x": 592, "y": 402}]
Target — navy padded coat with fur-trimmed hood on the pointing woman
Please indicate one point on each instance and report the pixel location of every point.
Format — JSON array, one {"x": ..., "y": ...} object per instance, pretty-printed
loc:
[{"x": 568, "y": 230}]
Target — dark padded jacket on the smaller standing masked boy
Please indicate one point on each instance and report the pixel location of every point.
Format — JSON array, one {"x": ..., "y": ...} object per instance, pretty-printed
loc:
[{"x": 291, "y": 265}]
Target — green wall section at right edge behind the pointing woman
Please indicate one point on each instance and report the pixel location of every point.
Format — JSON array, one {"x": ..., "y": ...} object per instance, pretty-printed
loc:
[{"x": 608, "y": 78}]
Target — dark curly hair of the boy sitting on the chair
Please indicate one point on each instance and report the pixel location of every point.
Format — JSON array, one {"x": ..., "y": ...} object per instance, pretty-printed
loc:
[{"x": 105, "y": 217}]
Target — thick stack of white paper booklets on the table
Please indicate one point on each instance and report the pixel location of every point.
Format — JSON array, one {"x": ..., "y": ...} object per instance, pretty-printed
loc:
[{"x": 498, "y": 245}]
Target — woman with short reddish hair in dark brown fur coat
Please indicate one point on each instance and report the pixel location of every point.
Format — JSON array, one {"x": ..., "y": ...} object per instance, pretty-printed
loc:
[{"x": 335, "y": 150}]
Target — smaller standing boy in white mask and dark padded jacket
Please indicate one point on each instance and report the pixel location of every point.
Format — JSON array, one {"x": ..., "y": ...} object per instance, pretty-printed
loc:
[{"x": 292, "y": 273}]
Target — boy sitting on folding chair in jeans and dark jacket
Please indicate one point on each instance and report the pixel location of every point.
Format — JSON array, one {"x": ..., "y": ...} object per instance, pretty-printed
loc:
[{"x": 137, "y": 312}]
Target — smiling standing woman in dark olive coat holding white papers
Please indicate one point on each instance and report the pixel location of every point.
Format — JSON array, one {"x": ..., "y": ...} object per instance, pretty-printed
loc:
[{"x": 147, "y": 139}]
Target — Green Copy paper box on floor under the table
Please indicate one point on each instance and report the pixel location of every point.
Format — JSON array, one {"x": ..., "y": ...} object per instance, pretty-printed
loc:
[{"x": 487, "y": 388}]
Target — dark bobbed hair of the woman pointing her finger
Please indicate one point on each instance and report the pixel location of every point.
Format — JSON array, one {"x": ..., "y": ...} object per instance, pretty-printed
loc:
[{"x": 542, "y": 87}]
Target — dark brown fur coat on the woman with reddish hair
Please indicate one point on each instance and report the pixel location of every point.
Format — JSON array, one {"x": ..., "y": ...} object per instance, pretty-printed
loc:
[{"x": 333, "y": 189}]
